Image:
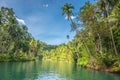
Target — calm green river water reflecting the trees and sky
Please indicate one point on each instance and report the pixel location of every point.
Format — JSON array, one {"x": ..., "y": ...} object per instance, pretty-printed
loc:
[{"x": 50, "y": 71}]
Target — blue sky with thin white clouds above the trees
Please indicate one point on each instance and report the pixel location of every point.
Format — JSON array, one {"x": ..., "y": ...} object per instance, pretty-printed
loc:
[{"x": 44, "y": 18}]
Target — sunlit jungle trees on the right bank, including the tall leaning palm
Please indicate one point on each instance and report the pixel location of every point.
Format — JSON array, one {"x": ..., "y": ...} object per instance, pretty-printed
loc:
[{"x": 97, "y": 41}]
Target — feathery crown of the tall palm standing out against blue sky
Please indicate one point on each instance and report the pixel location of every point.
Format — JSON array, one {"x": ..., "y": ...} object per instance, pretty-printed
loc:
[{"x": 67, "y": 11}]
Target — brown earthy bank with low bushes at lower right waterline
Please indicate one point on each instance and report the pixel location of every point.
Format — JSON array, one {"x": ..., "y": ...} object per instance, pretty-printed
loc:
[{"x": 113, "y": 68}]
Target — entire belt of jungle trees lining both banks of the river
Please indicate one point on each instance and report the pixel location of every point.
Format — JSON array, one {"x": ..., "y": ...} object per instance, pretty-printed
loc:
[{"x": 96, "y": 44}]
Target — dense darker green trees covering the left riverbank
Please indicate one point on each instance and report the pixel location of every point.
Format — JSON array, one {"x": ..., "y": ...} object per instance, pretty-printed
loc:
[{"x": 15, "y": 41}]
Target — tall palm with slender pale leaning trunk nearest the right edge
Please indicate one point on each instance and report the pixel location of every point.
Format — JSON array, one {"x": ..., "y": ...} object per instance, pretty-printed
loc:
[{"x": 106, "y": 7}]
